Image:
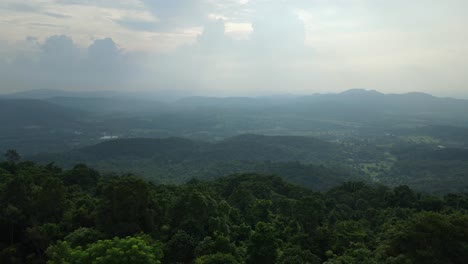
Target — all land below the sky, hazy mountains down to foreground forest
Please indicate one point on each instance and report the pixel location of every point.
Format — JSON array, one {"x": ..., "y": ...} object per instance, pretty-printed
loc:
[{"x": 343, "y": 164}]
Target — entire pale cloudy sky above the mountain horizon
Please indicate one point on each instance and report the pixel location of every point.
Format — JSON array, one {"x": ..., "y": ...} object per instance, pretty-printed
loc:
[{"x": 235, "y": 47}]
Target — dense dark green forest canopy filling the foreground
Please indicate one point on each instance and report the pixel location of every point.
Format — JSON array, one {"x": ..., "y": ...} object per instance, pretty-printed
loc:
[{"x": 80, "y": 216}]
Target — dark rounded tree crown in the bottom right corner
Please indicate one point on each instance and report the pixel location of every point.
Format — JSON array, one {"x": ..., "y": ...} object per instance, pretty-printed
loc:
[{"x": 428, "y": 238}]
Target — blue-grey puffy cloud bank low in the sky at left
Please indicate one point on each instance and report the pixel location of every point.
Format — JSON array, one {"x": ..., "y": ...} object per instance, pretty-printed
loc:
[{"x": 60, "y": 63}]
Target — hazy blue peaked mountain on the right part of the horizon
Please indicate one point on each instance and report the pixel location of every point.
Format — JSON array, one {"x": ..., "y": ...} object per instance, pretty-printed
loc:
[{"x": 369, "y": 106}]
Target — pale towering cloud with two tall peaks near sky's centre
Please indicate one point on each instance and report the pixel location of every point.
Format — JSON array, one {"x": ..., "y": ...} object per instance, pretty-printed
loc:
[{"x": 270, "y": 58}]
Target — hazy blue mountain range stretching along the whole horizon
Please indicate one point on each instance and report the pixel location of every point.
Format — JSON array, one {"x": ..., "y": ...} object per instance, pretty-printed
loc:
[{"x": 356, "y": 105}]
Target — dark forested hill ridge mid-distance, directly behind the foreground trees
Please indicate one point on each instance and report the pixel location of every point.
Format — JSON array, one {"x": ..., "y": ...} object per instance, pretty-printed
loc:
[{"x": 177, "y": 160}]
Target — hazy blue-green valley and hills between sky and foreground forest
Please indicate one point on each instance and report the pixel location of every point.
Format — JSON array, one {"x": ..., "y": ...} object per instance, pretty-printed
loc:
[{"x": 318, "y": 141}]
